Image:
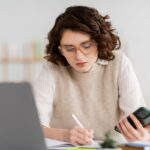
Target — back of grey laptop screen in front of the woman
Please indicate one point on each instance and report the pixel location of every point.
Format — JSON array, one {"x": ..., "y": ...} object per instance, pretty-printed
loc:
[{"x": 20, "y": 127}]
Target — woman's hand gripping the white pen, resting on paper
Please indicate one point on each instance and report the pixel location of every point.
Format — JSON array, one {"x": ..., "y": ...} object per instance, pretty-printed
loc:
[{"x": 80, "y": 136}]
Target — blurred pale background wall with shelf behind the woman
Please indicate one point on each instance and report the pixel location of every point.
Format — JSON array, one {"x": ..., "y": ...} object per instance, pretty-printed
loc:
[{"x": 24, "y": 25}]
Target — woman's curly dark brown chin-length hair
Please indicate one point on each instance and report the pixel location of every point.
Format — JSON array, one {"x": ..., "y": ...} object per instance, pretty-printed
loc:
[{"x": 87, "y": 20}]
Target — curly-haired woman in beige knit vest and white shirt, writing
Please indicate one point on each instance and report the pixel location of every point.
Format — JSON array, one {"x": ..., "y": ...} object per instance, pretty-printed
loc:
[{"x": 85, "y": 75}]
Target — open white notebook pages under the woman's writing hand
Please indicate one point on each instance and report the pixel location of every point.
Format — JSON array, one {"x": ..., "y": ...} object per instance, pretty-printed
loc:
[{"x": 55, "y": 144}]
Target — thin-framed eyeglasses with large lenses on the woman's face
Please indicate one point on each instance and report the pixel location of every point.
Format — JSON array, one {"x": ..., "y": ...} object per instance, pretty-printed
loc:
[{"x": 85, "y": 47}]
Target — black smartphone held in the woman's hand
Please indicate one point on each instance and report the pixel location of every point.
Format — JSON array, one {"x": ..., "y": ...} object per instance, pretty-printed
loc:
[{"x": 142, "y": 114}]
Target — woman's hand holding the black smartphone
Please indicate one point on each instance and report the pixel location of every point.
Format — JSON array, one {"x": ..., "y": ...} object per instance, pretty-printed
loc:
[{"x": 132, "y": 134}]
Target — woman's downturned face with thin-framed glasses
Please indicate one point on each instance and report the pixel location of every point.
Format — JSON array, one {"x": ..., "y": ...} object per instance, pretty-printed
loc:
[{"x": 79, "y": 50}]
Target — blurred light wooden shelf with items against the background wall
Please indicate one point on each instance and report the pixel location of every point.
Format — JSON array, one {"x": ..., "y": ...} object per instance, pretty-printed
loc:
[{"x": 20, "y": 61}]
